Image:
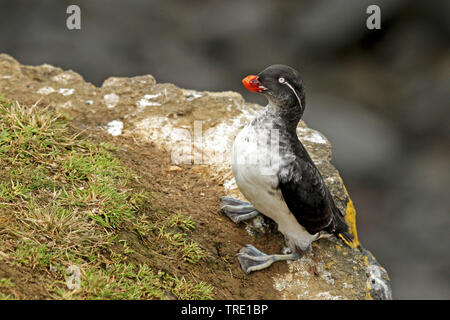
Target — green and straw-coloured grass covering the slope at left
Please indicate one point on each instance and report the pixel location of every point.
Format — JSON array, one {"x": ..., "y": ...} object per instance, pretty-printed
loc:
[{"x": 63, "y": 201}]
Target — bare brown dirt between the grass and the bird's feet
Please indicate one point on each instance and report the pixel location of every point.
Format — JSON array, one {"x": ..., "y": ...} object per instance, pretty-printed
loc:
[{"x": 191, "y": 190}]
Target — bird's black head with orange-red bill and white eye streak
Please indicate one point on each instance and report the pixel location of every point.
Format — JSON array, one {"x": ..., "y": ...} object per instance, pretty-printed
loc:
[{"x": 282, "y": 86}]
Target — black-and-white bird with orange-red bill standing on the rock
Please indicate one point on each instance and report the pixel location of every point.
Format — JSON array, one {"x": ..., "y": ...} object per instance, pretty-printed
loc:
[{"x": 277, "y": 176}]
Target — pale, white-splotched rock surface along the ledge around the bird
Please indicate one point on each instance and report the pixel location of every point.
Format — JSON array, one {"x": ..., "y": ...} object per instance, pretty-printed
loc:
[{"x": 199, "y": 127}]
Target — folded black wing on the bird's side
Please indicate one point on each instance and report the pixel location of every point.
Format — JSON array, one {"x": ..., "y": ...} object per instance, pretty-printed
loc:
[{"x": 307, "y": 196}]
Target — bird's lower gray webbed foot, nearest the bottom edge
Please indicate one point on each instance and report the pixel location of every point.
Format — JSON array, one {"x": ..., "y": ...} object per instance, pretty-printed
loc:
[{"x": 251, "y": 259}]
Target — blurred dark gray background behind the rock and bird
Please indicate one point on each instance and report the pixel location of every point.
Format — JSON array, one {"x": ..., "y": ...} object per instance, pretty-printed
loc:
[{"x": 380, "y": 96}]
